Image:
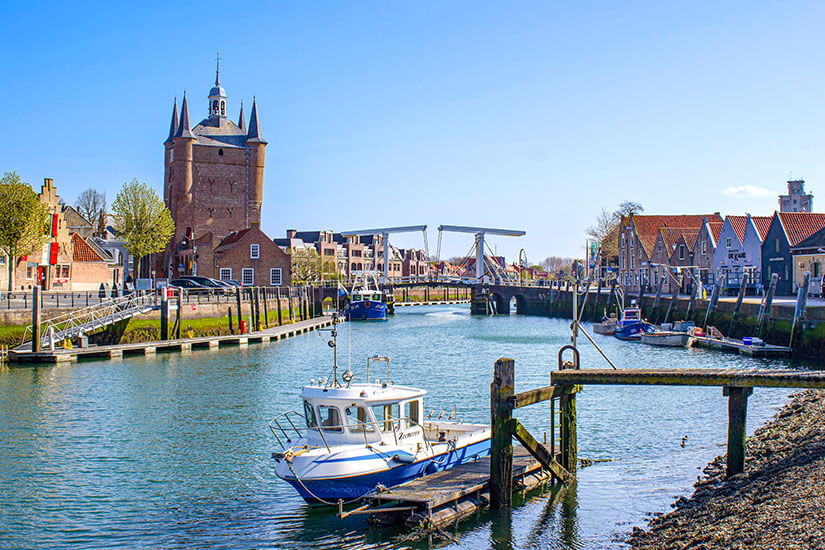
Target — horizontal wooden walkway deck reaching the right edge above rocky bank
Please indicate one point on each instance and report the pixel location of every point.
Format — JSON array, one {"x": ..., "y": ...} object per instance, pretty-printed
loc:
[{"x": 772, "y": 378}]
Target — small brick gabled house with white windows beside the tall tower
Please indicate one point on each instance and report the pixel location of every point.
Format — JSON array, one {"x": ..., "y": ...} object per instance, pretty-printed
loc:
[{"x": 250, "y": 256}]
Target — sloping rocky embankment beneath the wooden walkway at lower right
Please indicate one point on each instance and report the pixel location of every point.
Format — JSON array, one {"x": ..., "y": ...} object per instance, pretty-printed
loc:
[{"x": 778, "y": 503}]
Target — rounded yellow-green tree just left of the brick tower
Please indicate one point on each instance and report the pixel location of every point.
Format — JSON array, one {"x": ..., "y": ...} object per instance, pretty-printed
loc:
[{"x": 142, "y": 220}]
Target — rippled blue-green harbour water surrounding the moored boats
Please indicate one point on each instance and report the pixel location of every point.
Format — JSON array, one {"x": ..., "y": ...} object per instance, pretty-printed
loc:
[{"x": 174, "y": 451}]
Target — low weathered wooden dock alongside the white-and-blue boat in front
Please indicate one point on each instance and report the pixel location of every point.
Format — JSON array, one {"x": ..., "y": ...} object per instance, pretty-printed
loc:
[{"x": 445, "y": 497}]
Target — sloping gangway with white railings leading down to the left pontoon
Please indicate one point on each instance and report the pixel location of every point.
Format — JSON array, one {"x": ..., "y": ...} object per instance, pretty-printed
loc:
[{"x": 85, "y": 320}]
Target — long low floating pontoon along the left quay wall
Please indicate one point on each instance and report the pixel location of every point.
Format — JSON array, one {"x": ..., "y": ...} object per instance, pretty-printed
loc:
[{"x": 182, "y": 345}]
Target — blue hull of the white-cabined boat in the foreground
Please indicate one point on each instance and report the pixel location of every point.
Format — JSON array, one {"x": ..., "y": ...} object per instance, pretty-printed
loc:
[{"x": 357, "y": 486}]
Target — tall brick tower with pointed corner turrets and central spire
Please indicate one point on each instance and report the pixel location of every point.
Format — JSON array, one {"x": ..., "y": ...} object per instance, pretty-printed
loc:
[{"x": 214, "y": 176}]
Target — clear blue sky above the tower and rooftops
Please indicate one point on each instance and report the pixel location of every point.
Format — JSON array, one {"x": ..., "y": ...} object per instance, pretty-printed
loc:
[{"x": 529, "y": 115}]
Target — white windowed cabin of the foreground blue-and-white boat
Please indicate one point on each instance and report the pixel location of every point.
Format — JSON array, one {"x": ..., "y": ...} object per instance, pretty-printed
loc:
[{"x": 362, "y": 413}]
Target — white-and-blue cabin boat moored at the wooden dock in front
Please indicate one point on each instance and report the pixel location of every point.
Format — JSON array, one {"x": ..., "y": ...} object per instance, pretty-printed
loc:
[{"x": 353, "y": 438}]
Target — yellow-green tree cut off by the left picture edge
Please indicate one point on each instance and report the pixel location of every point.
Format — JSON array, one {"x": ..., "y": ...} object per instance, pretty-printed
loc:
[{"x": 23, "y": 219}]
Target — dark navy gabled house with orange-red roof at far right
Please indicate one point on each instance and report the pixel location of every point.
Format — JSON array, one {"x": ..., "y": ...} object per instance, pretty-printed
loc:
[{"x": 787, "y": 230}]
